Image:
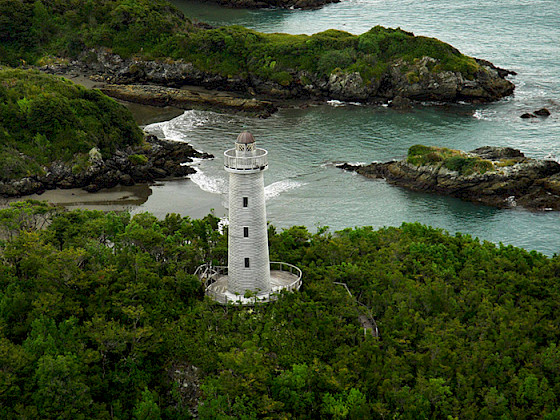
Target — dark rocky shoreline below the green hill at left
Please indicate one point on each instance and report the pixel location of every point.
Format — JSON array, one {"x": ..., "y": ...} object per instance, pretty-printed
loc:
[{"x": 155, "y": 160}]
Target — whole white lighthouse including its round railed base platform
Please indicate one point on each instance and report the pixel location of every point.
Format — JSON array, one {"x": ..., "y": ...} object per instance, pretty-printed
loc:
[{"x": 249, "y": 276}]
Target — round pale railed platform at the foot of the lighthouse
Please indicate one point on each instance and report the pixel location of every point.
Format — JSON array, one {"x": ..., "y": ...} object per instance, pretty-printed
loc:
[{"x": 283, "y": 276}]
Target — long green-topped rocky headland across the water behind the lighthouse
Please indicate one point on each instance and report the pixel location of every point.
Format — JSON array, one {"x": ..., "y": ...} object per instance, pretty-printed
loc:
[{"x": 119, "y": 44}]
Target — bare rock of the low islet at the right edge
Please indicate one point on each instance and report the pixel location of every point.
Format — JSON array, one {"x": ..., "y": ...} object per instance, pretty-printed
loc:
[{"x": 515, "y": 180}]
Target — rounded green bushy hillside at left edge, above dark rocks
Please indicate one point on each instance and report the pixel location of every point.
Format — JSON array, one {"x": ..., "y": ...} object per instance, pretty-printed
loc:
[{"x": 45, "y": 118}]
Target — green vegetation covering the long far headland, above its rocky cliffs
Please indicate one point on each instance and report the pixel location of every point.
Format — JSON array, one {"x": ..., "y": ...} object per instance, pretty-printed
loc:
[{"x": 155, "y": 29}]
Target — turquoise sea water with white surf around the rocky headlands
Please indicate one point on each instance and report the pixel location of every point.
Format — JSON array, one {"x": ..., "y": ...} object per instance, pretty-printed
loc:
[{"x": 303, "y": 186}]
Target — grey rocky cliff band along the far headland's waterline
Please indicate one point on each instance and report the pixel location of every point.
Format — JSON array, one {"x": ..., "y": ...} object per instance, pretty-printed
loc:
[{"x": 412, "y": 81}]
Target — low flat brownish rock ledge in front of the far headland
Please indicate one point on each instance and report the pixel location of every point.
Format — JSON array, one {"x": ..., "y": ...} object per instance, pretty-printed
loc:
[{"x": 187, "y": 98}]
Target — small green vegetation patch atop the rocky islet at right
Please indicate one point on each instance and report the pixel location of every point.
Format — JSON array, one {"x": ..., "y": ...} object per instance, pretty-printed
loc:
[{"x": 454, "y": 160}]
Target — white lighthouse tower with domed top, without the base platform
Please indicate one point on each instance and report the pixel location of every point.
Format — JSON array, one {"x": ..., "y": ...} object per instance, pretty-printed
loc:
[{"x": 248, "y": 262}]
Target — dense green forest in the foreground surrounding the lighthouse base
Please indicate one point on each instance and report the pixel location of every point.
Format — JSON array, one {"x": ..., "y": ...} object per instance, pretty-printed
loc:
[{"x": 101, "y": 317}]
